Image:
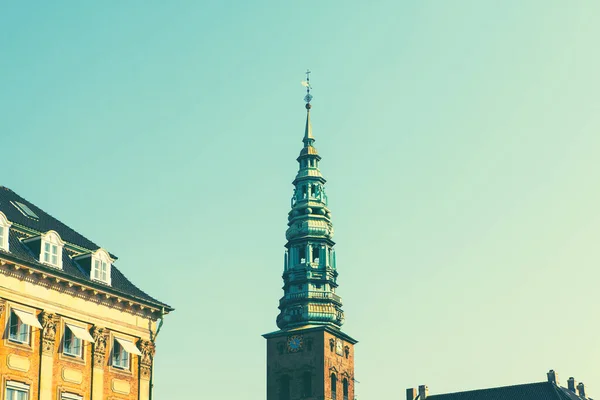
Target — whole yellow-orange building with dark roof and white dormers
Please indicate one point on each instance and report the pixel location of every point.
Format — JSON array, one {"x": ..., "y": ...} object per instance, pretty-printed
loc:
[{"x": 74, "y": 327}]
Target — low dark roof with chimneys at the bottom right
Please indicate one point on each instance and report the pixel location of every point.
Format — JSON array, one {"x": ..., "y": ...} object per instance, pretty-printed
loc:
[{"x": 528, "y": 391}]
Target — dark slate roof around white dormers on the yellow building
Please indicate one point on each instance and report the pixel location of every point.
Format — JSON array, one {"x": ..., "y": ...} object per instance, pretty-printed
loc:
[{"x": 119, "y": 283}]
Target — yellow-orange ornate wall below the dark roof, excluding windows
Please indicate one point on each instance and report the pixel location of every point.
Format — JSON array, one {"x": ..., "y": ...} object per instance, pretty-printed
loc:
[{"x": 42, "y": 364}]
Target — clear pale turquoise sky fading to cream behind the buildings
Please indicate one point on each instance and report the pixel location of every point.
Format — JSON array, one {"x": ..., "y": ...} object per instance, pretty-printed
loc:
[{"x": 459, "y": 139}]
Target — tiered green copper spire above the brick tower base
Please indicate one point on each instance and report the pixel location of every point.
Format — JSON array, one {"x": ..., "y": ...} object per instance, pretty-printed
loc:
[{"x": 309, "y": 276}]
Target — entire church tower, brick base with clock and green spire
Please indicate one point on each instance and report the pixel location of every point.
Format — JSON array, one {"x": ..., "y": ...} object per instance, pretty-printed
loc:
[{"x": 309, "y": 357}]
